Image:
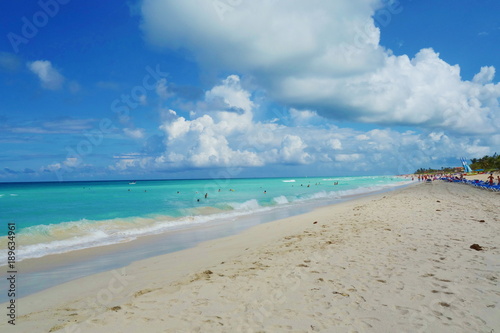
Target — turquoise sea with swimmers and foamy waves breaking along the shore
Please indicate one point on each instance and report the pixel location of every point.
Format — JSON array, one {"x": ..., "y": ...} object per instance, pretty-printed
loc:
[{"x": 60, "y": 217}]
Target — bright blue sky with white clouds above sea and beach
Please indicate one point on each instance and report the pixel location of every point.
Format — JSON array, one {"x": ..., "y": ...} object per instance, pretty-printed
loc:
[{"x": 165, "y": 89}]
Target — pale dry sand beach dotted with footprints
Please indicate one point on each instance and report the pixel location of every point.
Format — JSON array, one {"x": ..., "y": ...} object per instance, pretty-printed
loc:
[{"x": 394, "y": 262}]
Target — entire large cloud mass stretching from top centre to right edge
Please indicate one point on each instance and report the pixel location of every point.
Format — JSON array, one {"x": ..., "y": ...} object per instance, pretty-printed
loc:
[{"x": 325, "y": 56}]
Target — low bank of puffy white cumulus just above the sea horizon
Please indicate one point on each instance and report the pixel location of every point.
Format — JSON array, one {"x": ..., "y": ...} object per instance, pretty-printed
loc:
[{"x": 225, "y": 138}]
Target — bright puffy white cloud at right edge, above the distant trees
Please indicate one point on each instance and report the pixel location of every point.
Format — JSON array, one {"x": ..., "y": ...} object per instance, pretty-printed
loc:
[{"x": 423, "y": 91}]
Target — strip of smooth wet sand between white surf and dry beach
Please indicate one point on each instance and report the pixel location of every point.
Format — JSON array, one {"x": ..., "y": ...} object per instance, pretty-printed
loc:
[{"x": 40, "y": 273}]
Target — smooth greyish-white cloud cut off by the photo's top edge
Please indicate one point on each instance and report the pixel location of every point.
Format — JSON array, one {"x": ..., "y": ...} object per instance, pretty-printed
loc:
[{"x": 276, "y": 34}]
